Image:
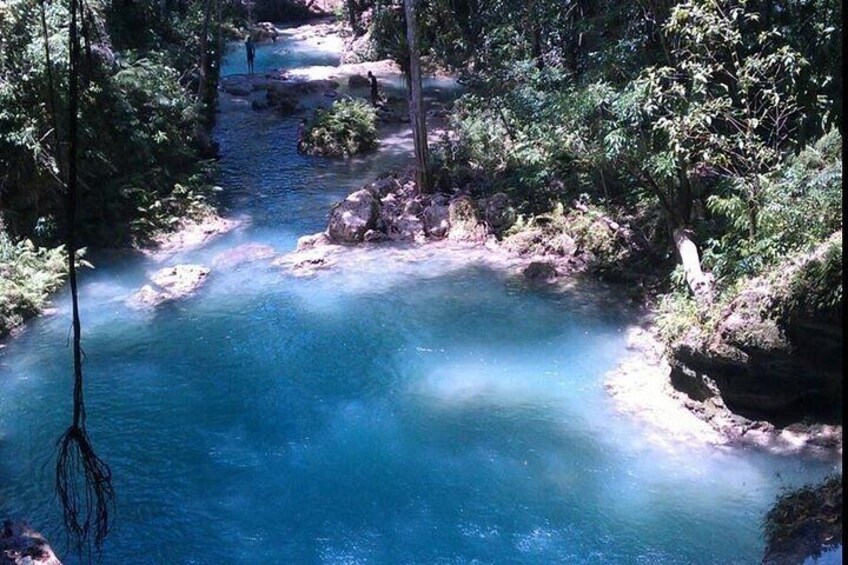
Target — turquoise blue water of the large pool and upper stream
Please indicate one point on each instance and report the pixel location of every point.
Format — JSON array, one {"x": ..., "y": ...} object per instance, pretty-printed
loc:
[{"x": 391, "y": 412}]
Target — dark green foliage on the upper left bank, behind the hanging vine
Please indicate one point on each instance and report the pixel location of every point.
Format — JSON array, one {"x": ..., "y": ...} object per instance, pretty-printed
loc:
[{"x": 142, "y": 128}]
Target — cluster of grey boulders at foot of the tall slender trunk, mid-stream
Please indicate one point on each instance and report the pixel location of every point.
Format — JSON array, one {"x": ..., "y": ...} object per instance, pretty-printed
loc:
[{"x": 392, "y": 209}]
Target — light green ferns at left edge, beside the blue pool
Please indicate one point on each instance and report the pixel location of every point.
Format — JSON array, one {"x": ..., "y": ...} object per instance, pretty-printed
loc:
[{"x": 28, "y": 274}]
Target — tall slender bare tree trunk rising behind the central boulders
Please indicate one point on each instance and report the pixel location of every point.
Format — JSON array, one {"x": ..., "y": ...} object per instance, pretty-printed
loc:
[{"x": 416, "y": 101}]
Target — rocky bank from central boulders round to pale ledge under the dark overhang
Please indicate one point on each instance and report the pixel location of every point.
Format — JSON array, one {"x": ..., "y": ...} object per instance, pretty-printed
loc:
[{"x": 391, "y": 213}]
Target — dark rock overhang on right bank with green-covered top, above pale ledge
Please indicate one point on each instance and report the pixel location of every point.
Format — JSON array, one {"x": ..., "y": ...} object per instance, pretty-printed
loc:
[{"x": 775, "y": 352}]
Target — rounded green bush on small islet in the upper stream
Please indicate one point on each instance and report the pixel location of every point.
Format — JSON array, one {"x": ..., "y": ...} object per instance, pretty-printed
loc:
[{"x": 346, "y": 128}]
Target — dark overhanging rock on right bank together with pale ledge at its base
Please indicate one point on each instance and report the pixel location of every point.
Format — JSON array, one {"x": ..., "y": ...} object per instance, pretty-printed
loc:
[{"x": 770, "y": 364}]
